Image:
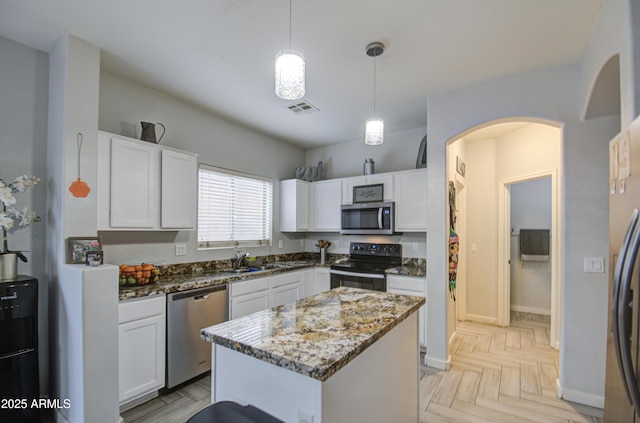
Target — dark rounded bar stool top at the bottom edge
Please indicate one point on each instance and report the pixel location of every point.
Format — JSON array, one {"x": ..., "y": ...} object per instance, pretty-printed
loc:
[{"x": 232, "y": 412}]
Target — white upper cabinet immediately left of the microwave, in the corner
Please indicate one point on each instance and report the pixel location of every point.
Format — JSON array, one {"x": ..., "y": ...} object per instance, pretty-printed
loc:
[{"x": 327, "y": 198}]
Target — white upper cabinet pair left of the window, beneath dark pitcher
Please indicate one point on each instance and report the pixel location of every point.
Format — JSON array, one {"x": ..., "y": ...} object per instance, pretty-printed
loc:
[{"x": 143, "y": 186}]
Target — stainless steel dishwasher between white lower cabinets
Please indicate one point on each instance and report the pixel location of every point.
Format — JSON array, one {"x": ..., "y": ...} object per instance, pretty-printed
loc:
[{"x": 187, "y": 313}]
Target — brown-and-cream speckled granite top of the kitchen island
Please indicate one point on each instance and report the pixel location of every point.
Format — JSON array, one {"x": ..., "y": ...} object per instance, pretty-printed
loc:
[{"x": 318, "y": 335}]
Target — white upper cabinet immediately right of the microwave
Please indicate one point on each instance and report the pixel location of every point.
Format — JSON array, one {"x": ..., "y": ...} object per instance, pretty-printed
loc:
[{"x": 411, "y": 200}]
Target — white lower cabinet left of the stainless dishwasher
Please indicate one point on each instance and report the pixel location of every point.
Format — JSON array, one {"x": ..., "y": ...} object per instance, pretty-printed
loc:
[{"x": 141, "y": 348}]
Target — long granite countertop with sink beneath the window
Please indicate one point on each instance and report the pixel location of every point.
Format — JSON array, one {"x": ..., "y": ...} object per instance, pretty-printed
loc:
[{"x": 177, "y": 283}]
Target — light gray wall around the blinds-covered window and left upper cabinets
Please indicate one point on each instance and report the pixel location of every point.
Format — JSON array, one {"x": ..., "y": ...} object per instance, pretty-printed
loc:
[{"x": 218, "y": 142}]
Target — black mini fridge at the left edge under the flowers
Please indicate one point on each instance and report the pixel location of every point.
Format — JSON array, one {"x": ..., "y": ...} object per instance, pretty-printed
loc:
[{"x": 19, "y": 381}]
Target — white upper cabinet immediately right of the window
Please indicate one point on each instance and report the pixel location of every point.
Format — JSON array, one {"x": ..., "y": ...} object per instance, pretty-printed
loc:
[{"x": 294, "y": 205}]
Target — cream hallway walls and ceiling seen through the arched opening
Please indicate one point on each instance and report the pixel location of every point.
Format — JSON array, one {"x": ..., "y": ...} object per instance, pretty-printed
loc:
[{"x": 516, "y": 149}]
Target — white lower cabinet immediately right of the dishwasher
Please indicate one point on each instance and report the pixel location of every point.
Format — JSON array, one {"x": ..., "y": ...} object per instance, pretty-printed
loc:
[{"x": 249, "y": 296}]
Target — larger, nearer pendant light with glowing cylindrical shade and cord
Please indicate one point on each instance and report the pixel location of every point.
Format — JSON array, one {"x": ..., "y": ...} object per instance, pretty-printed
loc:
[{"x": 290, "y": 79}]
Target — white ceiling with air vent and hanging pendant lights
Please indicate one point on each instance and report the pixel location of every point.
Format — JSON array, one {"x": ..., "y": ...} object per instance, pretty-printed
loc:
[{"x": 219, "y": 54}]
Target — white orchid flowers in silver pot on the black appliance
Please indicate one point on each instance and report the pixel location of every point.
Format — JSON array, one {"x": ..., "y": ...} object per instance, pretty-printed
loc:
[{"x": 11, "y": 220}]
